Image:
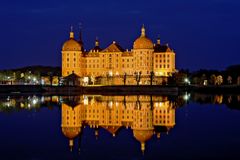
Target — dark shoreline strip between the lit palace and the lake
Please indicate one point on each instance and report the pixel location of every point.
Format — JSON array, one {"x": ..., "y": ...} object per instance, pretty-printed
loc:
[{"x": 117, "y": 90}]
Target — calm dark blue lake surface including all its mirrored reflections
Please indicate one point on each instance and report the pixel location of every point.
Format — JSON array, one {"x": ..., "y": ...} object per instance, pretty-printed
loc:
[{"x": 131, "y": 127}]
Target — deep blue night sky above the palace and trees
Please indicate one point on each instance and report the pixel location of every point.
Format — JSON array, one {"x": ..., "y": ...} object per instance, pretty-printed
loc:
[{"x": 203, "y": 33}]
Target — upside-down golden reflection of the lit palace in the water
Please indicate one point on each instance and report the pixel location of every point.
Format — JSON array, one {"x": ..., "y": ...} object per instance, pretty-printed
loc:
[{"x": 145, "y": 115}]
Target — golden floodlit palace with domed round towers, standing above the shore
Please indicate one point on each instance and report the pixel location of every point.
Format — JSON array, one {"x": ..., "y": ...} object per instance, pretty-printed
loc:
[{"x": 145, "y": 59}]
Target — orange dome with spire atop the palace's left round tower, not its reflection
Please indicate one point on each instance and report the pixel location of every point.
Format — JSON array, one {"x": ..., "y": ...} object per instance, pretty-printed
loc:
[{"x": 71, "y": 44}]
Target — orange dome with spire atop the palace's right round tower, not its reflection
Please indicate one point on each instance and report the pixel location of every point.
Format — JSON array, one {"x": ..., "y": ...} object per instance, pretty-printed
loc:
[{"x": 143, "y": 42}]
